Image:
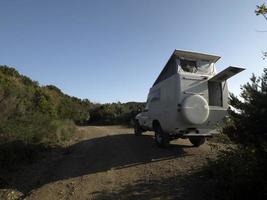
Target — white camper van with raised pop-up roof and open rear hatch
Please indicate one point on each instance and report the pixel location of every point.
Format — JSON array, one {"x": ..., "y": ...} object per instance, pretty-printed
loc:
[{"x": 187, "y": 100}]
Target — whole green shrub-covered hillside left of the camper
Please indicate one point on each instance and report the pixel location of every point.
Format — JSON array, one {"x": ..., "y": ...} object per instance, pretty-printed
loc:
[{"x": 34, "y": 115}]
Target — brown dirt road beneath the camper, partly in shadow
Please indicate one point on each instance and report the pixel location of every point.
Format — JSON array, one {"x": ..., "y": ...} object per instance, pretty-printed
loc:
[{"x": 109, "y": 162}]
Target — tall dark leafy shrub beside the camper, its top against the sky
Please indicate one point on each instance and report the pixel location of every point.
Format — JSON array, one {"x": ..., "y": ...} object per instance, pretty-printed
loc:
[{"x": 249, "y": 127}]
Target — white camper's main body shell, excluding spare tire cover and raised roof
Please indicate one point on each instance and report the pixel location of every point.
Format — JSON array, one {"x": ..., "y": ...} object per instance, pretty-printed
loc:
[{"x": 165, "y": 97}]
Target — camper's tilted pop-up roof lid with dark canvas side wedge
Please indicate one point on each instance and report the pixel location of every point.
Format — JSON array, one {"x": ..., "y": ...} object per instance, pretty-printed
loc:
[{"x": 171, "y": 67}]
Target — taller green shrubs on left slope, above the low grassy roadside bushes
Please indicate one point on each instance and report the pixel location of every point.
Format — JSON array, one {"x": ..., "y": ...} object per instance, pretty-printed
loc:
[{"x": 20, "y": 95}]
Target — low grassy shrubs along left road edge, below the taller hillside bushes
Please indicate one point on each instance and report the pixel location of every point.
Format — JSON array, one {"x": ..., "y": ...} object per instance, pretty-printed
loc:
[{"x": 32, "y": 137}]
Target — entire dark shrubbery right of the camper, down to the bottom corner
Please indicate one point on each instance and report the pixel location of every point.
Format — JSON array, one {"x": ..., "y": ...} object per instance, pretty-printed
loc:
[{"x": 240, "y": 169}]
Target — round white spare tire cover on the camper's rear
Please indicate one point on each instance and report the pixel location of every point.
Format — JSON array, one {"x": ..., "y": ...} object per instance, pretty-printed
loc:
[{"x": 195, "y": 109}]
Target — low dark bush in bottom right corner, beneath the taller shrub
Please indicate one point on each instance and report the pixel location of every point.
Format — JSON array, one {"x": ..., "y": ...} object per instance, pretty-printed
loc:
[{"x": 240, "y": 173}]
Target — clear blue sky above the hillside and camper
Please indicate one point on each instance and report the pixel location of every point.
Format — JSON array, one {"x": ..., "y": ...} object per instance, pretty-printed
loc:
[{"x": 110, "y": 51}]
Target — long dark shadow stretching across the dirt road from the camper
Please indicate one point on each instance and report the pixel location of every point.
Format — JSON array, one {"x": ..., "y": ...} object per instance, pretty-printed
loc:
[{"x": 90, "y": 156}]
